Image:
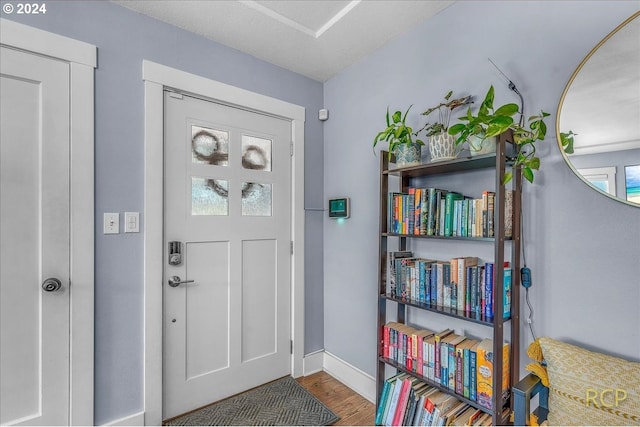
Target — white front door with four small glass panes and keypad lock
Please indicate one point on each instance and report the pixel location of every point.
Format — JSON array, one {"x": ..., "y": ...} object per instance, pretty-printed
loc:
[{"x": 227, "y": 205}]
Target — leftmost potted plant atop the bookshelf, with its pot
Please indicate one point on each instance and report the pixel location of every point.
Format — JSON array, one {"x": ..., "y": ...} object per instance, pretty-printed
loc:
[{"x": 400, "y": 139}]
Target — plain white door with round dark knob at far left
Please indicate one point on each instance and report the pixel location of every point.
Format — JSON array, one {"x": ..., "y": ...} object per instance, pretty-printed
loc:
[{"x": 34, "y": 217}]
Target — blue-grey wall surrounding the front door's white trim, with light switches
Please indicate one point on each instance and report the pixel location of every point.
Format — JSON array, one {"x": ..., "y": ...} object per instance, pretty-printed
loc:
[{"x": 124, "y": 39}]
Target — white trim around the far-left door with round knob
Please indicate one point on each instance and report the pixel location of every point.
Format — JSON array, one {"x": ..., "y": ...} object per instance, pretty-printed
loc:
[{"x": 82, "y": 59}]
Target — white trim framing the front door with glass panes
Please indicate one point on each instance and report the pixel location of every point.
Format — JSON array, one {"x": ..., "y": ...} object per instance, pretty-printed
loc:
[{"x": 156, "y": 77}]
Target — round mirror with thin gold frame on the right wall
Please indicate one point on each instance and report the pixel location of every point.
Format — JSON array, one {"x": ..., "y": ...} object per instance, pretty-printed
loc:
[{"x": 601, "y": 106}]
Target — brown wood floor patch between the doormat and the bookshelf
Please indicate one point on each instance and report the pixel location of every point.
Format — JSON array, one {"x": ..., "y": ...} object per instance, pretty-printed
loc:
[{"x": 353, "y": 409}]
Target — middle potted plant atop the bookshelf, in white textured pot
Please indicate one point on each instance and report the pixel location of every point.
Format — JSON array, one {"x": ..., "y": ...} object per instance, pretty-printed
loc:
[{"x": 441, "y": 144}]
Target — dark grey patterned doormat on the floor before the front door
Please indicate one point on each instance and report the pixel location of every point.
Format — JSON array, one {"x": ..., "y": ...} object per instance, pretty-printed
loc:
[{"x": 283, "y": 402}]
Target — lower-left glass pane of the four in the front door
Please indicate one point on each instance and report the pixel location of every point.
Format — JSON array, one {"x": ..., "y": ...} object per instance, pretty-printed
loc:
[{"x": 209, "y": 196}]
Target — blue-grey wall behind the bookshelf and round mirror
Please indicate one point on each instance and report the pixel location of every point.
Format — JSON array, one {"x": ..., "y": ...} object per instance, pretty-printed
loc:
[{"x": 583, "y": 248}]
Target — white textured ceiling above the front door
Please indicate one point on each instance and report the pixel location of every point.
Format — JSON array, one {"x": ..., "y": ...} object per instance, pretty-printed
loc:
[{"x": 316, "y": 38}]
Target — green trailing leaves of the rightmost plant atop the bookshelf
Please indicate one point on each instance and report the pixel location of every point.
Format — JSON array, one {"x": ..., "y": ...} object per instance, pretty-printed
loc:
[{"x": 490, "y": 122}]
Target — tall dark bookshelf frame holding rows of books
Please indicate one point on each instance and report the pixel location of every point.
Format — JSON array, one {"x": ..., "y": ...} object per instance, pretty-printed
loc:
[{"x": 497, "y": 162}]
